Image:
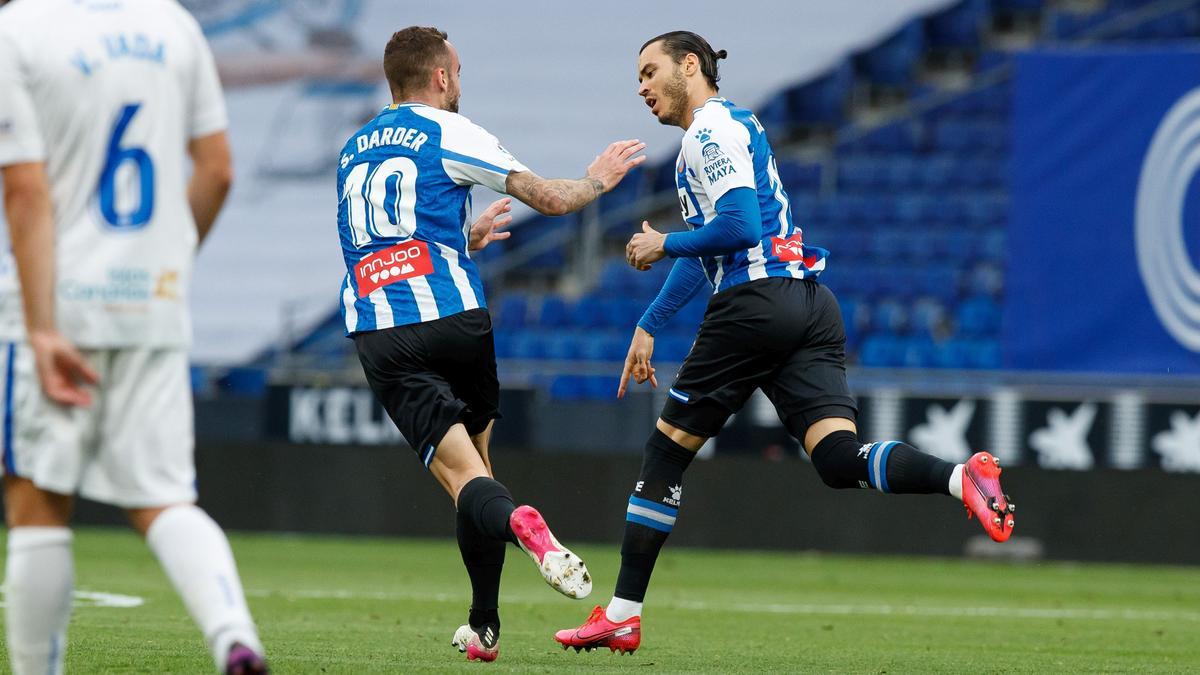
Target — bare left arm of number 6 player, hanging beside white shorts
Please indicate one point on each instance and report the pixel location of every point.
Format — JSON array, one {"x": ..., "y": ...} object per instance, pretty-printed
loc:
[{"x": 61, "y": 367}]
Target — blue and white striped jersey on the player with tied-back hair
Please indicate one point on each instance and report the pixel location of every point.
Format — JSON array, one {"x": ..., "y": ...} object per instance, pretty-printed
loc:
[{"x": 727, "y": 148}]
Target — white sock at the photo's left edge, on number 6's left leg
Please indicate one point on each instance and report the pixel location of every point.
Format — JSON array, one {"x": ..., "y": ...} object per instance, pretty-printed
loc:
[{"x": 38, "y": 593}]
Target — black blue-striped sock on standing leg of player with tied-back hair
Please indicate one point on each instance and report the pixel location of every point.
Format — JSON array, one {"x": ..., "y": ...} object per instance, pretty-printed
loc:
[{"x": 652, "y": 513}]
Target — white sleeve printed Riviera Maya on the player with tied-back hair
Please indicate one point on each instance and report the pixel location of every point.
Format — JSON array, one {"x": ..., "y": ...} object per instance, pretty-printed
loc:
[{"x": 721, "y": 152}]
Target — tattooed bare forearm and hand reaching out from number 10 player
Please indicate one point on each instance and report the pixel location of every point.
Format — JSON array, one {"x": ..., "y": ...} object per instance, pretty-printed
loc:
[{"x": 561, "y": 196}]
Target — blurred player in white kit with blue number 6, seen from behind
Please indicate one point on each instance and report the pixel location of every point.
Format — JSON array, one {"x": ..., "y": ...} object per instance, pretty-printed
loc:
[{"x": 101, "y": 105}]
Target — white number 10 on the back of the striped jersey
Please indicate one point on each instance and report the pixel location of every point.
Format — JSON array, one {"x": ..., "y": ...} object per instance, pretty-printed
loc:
[{"x": 381, "y": 201}]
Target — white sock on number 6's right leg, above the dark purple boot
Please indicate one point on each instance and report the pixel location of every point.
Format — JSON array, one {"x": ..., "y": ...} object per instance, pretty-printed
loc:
[{"x": 195, "y": 554}]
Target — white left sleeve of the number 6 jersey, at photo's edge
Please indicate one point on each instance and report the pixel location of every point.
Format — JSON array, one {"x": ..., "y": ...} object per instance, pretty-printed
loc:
[{"x": 21, "y": 138}]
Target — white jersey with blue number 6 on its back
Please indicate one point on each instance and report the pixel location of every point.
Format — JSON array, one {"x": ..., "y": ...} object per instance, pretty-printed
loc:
[{"x": 109, "y": 94}]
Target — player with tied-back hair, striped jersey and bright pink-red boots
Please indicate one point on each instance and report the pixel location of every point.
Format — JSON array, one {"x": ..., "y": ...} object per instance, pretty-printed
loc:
[{"x": 770, "y": 325}]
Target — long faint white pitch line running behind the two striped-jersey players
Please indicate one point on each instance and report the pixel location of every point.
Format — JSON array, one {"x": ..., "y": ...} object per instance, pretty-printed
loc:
[{"x": 795, "y": 610}]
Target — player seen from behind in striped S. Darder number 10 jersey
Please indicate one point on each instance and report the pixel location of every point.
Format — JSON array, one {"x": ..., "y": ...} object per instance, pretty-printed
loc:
[{"x": 415, "y": 306}]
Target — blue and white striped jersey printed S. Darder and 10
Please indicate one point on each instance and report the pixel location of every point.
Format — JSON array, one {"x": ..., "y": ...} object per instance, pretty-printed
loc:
[{"x": 404, "y": 216}]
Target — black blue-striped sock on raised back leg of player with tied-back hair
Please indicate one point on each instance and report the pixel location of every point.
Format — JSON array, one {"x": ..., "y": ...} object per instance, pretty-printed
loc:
[{"x": 889, "y": 467}]
